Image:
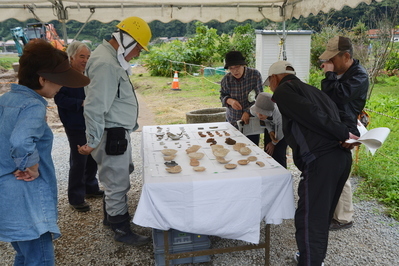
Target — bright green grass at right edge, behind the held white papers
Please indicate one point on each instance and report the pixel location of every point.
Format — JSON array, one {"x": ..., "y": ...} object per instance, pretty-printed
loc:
[{"x": 381, "y": 172}]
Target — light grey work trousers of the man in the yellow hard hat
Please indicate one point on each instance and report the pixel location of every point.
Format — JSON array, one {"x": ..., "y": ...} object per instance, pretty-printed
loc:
[{"x": 113, "y": 173}]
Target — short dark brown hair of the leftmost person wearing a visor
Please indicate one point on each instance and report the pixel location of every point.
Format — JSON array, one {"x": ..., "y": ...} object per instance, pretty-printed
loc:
[{"x": 38, "y": 55}]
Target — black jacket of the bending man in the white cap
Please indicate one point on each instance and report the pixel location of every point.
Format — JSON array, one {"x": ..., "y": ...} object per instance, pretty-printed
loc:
[{"x": 311, "y": 120}]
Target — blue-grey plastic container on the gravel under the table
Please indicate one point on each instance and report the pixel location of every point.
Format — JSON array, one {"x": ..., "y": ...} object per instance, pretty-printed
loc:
[{"x": 179, "y": 242}]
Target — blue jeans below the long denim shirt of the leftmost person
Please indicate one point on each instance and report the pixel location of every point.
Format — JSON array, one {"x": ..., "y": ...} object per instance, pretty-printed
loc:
[{"x": 36, "y": 252}]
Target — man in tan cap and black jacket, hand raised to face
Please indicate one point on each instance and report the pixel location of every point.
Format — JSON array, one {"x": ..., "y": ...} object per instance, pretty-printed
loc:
[{"x": 346, "y": 83}]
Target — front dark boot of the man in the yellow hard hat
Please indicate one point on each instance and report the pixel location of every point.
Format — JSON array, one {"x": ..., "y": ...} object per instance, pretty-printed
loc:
[{"x": 120, "y": 224}]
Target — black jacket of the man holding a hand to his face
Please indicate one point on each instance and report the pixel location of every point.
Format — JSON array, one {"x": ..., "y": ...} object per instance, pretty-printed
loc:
[{"x": 349, "y": 92}]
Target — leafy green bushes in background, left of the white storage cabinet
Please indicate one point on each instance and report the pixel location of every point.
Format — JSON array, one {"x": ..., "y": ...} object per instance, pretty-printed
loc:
[{"x": 206, "y": 48}]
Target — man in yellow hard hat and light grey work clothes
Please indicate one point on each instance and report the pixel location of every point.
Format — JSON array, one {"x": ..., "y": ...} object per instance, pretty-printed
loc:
[{"x": 111, "y": 112}]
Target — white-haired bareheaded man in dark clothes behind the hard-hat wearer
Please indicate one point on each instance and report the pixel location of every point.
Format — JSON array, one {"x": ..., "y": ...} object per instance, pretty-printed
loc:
[{"x": 82, "y": 181}]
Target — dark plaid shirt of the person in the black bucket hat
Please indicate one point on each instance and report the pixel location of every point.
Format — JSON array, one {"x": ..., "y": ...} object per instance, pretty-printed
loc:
[{"x": 239, "y": 89}]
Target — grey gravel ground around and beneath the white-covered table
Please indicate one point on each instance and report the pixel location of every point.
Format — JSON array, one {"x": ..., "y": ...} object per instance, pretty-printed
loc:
[{"x": 373, "y": 240}]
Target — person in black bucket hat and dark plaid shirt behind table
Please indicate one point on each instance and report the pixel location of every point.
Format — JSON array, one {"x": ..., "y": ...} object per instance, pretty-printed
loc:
[{"x": 239, "y": 89}]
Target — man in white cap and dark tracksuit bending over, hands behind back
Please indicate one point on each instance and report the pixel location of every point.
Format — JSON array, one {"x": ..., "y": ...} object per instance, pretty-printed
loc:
[{"x": 316, "y": 131}]
